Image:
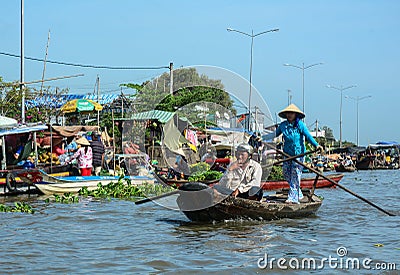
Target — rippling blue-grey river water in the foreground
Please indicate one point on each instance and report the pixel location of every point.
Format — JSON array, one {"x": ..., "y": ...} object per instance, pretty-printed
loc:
[{"x": 114, "y": 236}]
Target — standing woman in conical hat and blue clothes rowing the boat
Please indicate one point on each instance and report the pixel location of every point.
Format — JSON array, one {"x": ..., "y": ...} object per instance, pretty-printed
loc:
[{"x": 294, "y": 131}]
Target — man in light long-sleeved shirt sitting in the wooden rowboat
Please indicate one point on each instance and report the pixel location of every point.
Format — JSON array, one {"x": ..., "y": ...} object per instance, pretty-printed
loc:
[{"x": 244, "y": 175}]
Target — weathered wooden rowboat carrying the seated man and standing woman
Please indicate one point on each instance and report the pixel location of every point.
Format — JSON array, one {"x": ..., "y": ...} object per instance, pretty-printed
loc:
[{"x": 202, "y": 205}]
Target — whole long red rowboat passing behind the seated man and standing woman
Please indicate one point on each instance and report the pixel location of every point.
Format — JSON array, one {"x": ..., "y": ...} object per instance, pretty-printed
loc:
[{"x": 267, "y": 185}]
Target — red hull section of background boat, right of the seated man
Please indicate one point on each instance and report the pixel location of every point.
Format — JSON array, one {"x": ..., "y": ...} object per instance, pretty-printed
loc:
[{"x": 305, "y": 183}]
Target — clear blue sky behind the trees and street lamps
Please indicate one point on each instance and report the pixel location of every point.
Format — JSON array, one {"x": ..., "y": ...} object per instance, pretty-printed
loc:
[{"x": 358, "y": 42}]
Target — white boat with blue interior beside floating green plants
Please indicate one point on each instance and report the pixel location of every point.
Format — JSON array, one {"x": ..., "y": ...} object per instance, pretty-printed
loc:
[{"x": 49, "y": 185}]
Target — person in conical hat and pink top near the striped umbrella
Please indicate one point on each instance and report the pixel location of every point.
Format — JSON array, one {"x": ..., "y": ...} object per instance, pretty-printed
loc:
[{"x": 84, "y": 156}]
